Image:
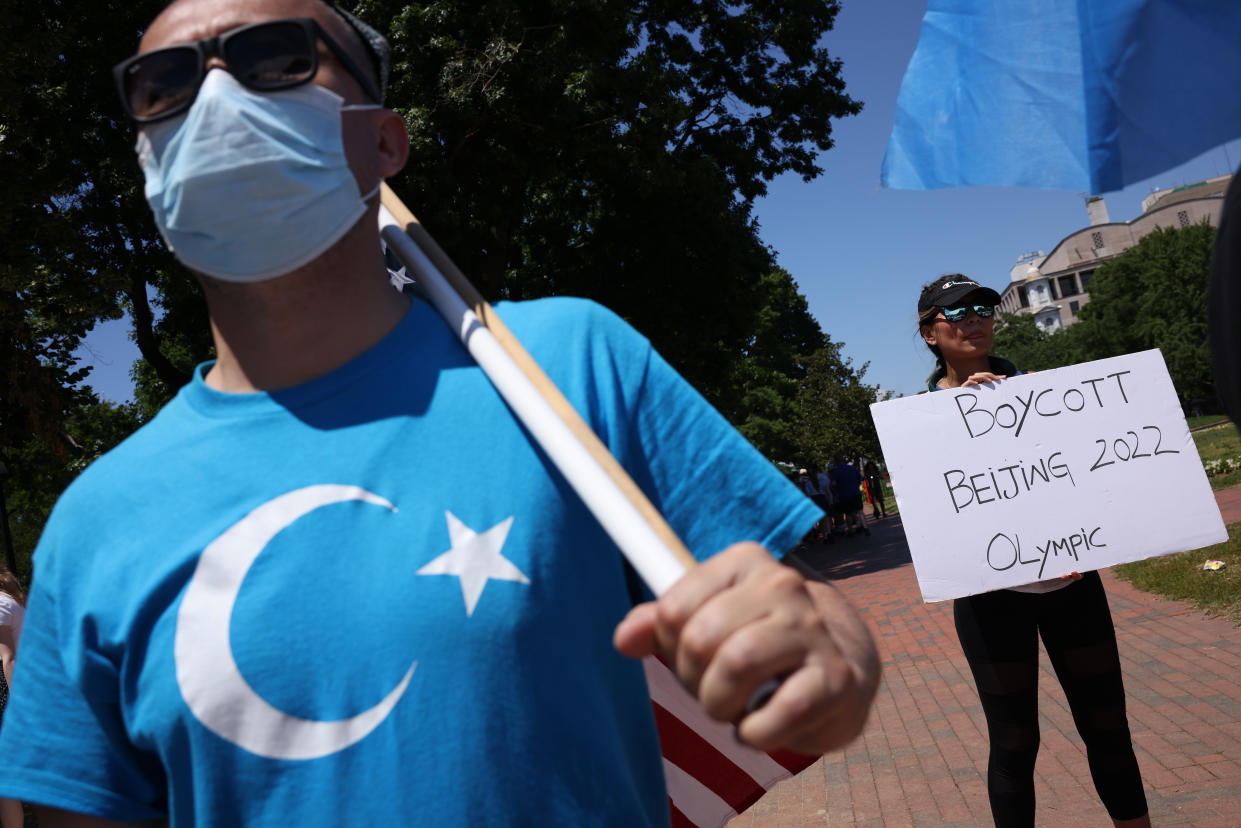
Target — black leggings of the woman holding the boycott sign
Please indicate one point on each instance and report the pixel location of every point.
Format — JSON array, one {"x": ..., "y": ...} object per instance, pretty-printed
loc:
[{"x": 1000, "y": 632}]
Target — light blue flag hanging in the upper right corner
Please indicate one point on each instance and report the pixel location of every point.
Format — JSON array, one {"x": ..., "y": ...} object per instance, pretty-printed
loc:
[{"x": 1075, "y": 95}]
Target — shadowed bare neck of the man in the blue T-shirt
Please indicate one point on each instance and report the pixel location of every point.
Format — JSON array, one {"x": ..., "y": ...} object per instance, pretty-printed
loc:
[{"x": 292, "y": 330}]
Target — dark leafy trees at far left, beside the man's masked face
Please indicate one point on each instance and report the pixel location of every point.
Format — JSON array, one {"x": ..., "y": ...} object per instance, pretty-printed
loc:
[{"x": 79, "y": 243}]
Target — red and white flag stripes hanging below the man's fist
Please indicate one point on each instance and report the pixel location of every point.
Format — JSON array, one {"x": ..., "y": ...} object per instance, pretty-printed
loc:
[{"x": 712, "y": 778}]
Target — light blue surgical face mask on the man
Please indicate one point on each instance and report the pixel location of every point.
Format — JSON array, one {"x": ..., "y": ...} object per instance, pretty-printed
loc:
[{"x": 246, "y": 186}]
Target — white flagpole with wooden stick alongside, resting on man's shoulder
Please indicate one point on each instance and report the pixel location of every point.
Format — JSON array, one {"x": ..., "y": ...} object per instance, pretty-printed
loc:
[{"x": 620, "y": 507}]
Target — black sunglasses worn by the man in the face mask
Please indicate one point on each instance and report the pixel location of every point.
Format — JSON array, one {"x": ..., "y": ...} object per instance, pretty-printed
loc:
[{"x": 266, "y": 56}]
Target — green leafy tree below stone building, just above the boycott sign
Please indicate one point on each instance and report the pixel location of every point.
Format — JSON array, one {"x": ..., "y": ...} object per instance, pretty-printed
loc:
[{"x": 1155, "y": 296}]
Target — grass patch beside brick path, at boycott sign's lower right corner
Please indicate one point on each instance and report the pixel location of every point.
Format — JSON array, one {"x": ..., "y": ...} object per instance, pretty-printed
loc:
[{"x": 1182, "y": 578}]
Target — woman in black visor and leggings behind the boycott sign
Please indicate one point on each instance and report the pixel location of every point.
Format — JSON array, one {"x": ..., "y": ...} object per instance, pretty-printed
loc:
[{"x": 1000, "y": 631}]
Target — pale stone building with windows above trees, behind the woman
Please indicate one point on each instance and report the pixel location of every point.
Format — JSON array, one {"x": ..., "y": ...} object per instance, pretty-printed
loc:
[{"x": 1055, "y": 287}]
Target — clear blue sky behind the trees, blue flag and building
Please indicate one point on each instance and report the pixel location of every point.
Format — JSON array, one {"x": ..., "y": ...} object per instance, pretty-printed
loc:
[{"x": 861, "y": 253}]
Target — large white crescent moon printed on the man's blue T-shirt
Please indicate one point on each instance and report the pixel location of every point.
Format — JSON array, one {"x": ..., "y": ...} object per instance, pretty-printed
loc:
[{"x": 207, "y": 672}]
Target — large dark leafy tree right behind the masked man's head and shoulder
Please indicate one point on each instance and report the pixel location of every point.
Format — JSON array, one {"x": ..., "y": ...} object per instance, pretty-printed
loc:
[{"x": 614, "y": 151}]
